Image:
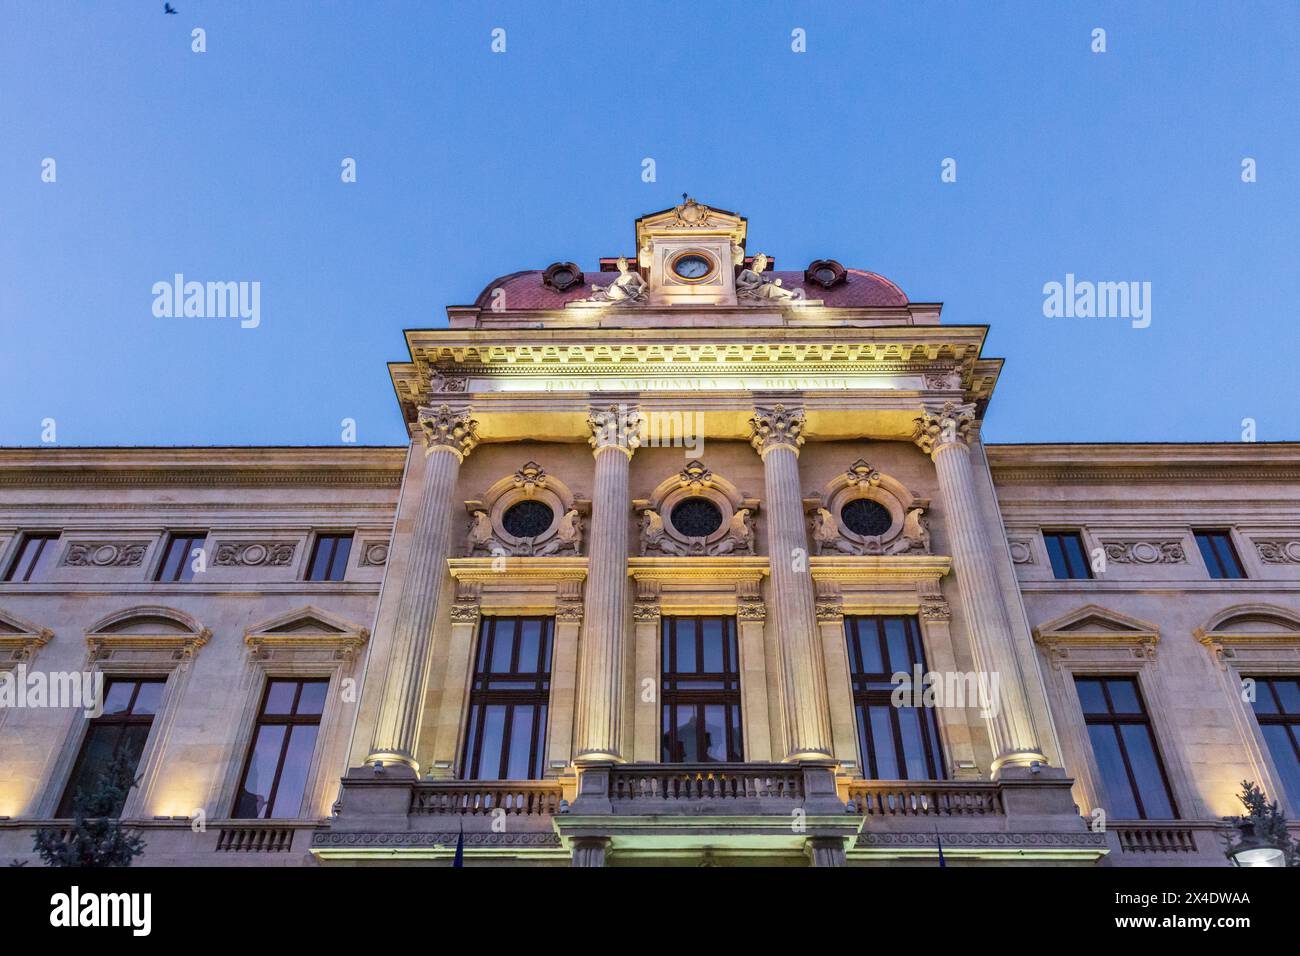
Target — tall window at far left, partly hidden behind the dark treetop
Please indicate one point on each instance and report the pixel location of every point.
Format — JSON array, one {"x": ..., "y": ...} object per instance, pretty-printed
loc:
[{"x": 123, "y": 729}]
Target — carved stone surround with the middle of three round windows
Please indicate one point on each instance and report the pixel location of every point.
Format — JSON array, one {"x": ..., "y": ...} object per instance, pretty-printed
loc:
[{"x": 696, "y": 514}]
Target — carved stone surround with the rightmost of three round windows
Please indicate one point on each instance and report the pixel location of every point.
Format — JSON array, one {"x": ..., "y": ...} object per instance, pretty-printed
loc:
[{"x": 865, "y": 512}]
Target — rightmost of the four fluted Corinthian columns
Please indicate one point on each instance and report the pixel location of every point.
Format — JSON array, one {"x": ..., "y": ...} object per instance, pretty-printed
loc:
[{"x": 946, "y": 436}]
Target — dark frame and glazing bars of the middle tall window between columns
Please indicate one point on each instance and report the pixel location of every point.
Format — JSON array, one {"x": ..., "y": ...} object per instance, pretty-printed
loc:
[{"x": 729, "y": 697}]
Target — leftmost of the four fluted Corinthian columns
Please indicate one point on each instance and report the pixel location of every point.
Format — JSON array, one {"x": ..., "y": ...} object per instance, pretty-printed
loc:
[{"x": 449, "y": 436}]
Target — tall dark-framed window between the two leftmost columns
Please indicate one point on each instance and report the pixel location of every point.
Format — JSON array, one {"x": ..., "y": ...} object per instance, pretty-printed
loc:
[{"x": 509, "y": 700}]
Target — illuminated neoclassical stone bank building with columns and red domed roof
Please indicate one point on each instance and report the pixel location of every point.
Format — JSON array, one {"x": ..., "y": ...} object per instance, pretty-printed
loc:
[{"x": 690, "y": 561}]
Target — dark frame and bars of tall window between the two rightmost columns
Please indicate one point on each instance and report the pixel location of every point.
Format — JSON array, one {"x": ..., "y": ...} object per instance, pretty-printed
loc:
[{"x": 868, "y": 690}]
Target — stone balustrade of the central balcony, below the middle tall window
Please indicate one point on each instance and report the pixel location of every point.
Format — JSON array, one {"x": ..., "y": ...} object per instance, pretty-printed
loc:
[{"x": 677, "y": 784}]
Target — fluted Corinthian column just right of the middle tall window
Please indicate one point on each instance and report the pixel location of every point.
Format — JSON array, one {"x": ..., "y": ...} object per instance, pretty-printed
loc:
[{"x": 778, "y": 434}]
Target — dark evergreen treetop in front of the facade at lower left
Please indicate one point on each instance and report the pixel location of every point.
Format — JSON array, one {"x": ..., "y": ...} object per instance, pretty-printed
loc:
[{"x": 97, "y": 838}]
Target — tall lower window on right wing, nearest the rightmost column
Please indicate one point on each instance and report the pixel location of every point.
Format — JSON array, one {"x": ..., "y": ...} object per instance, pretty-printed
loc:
[{"x": 1125, "y": 749}]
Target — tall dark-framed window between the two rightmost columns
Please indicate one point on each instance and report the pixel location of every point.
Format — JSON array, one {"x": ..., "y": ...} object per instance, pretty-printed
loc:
[{"x": 894, "y": 743}]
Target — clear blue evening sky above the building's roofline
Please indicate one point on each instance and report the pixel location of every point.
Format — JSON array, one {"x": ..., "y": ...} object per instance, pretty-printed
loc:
[{"x": 226, "y": 166}]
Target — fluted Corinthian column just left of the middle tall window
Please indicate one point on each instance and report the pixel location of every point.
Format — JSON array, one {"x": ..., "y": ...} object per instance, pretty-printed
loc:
[{"x": 616, "y": 435}]
